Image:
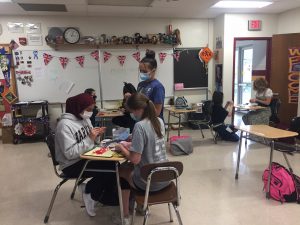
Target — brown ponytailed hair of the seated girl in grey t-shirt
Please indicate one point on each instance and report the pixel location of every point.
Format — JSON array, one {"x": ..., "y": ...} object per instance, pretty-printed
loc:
[{"x": 139, "y": 101}]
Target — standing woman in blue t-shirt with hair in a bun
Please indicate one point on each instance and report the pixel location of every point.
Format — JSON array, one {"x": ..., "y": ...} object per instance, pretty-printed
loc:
[{"x": 149, "y": 85}]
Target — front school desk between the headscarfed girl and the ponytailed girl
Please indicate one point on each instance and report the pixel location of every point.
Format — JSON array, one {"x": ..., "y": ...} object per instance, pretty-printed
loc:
[{"x": 117, "y": 161}]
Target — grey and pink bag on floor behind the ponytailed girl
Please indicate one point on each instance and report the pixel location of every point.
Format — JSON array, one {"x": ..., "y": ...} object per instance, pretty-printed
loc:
[{"x": 181, "y": 145}]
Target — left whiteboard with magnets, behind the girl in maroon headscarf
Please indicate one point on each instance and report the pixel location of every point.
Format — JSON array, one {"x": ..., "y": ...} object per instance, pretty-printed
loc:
[{"x": 53, "y": 83}]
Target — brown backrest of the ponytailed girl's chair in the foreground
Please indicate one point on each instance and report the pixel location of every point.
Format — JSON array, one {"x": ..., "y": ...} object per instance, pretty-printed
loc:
[{"x": 160, "y": 172}]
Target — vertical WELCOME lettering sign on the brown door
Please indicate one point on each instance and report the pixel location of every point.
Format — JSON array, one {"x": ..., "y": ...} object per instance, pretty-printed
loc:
[{"x": 293, "y": 75}]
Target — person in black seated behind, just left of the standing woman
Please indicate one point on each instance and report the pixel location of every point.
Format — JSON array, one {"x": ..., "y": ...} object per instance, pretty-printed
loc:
[{"x": 125, "y": 120}]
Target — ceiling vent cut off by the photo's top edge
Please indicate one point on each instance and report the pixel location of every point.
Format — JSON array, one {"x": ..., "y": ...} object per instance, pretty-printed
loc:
[{"x": 137, "y": 3}]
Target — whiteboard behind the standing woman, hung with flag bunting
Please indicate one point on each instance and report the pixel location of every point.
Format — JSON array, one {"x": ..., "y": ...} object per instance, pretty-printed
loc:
[{"x": 113, "y": 74}]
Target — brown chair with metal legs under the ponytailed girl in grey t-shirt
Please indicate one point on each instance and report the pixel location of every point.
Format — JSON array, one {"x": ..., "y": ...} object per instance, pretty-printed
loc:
[{"x": 160, "y": 172}]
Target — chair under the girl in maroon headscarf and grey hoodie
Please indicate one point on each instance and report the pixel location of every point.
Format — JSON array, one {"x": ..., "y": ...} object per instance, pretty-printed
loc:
[{"x": 50, "y": 140}]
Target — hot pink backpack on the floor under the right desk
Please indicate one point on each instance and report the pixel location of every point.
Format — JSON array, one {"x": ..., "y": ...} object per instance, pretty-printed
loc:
[{"x": 282, "y": 186}]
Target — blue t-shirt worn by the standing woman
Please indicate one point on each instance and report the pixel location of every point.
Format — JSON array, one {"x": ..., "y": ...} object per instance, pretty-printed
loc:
[{"x": 155, "y": 91}]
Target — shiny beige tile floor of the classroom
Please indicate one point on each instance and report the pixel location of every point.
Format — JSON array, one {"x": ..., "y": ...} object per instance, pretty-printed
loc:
[{"x": 210, "y": 195}]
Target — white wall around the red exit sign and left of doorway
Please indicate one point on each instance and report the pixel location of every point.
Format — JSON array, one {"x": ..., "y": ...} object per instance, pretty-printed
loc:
[{"x": 236, "y": 25}]
